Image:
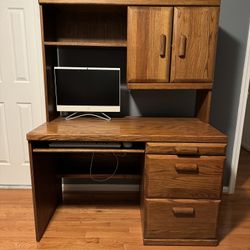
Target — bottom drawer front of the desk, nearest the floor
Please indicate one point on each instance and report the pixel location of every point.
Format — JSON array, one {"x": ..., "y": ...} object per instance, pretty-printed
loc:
[{"x": 186, "y": 219}]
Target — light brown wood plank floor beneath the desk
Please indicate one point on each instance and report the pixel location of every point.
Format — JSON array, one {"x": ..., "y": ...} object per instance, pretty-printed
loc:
[{"x": 115, "y": 227}]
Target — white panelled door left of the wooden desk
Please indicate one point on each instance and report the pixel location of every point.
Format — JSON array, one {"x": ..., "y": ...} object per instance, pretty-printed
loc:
[{"x": 21, "y": 86}]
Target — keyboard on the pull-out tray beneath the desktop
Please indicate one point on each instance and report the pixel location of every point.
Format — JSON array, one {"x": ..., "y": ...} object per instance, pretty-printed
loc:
[{"x": 85, "y": 144}]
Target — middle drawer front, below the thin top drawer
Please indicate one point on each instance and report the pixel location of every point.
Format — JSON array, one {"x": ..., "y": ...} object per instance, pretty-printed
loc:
[{"x": 171, "y": 176}]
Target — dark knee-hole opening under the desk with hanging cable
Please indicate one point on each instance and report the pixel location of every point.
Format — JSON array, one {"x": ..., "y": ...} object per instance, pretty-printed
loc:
[{"x": 90, "y": 175}]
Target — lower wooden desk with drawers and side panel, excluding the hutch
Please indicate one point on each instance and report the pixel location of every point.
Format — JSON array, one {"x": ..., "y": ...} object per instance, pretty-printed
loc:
[{"x": 180, "y": 194}]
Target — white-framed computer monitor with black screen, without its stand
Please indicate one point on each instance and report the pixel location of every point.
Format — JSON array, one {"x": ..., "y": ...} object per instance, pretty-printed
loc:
[{"x": 87, "y": 89}]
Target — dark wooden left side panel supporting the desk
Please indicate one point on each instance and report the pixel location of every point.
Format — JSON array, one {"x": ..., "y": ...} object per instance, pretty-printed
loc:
[{"x": 46, "y": 189}]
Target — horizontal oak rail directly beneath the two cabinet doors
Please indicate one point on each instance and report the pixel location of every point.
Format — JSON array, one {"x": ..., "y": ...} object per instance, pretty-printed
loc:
[{"x": 168, "y": 86}]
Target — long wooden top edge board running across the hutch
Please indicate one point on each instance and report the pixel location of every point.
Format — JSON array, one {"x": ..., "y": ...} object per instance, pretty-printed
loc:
[{"x": 136, "y": 2}]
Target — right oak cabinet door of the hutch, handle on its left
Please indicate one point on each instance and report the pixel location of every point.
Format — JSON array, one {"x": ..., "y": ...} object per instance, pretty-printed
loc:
[{"x": 194, "y": 44}]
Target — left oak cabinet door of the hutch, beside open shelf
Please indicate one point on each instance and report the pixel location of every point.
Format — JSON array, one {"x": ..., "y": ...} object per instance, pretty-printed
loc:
[{"x": 149, "y": 43}]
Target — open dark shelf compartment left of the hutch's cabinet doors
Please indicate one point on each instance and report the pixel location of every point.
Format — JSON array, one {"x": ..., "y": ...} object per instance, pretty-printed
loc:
[{"x": 88, "y": 25}]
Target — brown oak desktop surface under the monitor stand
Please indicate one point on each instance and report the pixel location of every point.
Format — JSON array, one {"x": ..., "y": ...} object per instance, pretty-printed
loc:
[{"x": 127, "y": 129}]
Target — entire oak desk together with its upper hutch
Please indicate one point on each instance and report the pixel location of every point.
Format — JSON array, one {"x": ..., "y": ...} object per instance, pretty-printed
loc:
[{"x": 159, "y": 45}]
